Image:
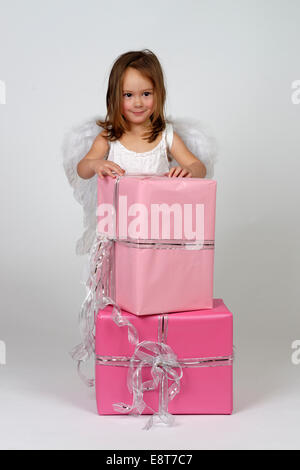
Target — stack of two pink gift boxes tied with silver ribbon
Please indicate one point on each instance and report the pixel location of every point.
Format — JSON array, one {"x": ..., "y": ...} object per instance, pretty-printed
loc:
[{"x": 169, "y": 349}]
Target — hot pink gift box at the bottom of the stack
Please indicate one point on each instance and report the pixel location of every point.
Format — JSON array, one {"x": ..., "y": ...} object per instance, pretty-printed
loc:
[{"x": 203, "y": 339}]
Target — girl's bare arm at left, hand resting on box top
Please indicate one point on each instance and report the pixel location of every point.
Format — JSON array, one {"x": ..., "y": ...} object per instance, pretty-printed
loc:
[{"x": 94, "y": 162}]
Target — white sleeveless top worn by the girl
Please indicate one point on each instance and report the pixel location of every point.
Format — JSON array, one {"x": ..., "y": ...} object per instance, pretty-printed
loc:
[{"x": 154, "y": 161}]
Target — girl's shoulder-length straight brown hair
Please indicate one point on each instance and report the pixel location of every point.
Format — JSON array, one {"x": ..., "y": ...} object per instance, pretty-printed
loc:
[{"x": 148, "y": 64}]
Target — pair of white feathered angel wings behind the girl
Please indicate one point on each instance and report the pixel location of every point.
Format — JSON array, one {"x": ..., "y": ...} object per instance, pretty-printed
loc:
[{"x": 77, "y": 142}]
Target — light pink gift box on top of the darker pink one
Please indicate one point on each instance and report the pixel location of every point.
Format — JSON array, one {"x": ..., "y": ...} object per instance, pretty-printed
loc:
[{"x": 163, "y": 276}]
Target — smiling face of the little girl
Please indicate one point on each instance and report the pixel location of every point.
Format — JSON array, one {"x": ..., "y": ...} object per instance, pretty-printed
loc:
[{"x": 138, "y": 97}]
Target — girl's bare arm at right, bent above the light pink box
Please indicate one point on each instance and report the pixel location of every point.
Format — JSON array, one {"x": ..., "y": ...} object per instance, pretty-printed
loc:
[{"x": 189, "y": 165}]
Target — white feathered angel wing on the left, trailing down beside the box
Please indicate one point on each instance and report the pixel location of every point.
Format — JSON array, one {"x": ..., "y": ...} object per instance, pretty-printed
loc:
[{"x": 77, "y": 142}]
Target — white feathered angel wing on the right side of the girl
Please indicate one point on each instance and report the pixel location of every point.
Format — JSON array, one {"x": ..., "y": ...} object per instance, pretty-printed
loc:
[{"x": 197, "y": 137}]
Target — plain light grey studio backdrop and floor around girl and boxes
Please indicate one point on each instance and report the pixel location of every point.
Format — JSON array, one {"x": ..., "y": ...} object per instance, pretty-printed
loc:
[{"x": 228, "y": 63}]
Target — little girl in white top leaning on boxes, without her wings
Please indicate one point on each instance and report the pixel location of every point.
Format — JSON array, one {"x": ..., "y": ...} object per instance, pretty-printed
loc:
[{"x": 136, "y": 137}]
